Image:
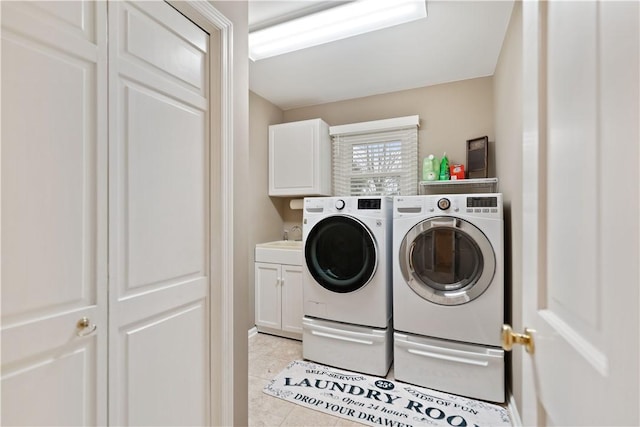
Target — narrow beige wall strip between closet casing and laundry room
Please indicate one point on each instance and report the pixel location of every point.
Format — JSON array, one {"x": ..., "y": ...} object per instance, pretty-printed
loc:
[{"x": 237, "y": 13}]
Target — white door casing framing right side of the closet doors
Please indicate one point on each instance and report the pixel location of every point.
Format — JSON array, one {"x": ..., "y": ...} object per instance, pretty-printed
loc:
[{"x": 222, "y": 338}]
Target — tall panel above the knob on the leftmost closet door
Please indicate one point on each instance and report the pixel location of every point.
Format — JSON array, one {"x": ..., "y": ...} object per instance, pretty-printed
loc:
[{"x": 55, "y": 203}]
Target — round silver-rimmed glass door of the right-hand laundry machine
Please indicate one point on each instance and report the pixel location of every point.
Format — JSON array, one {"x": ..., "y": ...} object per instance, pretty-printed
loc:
[{"x": 447, "y": 260}]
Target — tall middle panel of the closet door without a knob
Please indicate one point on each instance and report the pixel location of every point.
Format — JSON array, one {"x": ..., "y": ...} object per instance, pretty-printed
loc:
[{"x": 166, "y": 216}]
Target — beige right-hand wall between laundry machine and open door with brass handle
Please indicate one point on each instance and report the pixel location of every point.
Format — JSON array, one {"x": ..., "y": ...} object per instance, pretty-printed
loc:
[{"x": 508, "y": 119}]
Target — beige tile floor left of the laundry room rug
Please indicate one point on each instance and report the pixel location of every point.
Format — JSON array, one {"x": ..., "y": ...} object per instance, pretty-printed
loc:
[{"x": 268, "y": 355}]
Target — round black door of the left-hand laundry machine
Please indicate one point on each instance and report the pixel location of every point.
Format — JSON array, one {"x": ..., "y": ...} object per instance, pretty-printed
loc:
[{"x": 340, "y": 253}]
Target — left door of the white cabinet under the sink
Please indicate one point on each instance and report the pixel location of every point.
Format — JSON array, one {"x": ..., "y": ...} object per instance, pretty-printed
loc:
[{"x": 268, "y": 301}]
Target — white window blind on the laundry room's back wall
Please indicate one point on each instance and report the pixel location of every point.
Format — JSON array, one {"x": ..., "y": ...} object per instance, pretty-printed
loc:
[{"x": 377, "y": 159}]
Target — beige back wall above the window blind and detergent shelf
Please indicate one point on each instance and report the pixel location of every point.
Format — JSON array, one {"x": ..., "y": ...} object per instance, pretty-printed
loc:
[{"x": 450, "y": 114}]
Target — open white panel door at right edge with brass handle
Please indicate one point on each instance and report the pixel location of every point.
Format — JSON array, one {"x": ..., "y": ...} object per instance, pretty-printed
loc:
[{"x": 581, "y": 212}]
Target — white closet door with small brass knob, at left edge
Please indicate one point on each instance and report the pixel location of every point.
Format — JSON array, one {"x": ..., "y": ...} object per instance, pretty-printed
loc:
[{"x": 54, "y": 223}]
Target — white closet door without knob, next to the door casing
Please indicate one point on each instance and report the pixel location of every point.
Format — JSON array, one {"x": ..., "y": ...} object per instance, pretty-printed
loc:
[{"x": 158, "y": 217}]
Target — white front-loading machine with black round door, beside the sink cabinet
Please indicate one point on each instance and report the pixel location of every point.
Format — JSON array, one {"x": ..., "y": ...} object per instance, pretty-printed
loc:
[{"x": 346, "y": 282}]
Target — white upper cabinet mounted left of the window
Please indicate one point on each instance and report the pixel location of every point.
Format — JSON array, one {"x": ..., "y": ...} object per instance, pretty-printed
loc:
[{"x": 300, "y": 159}]
